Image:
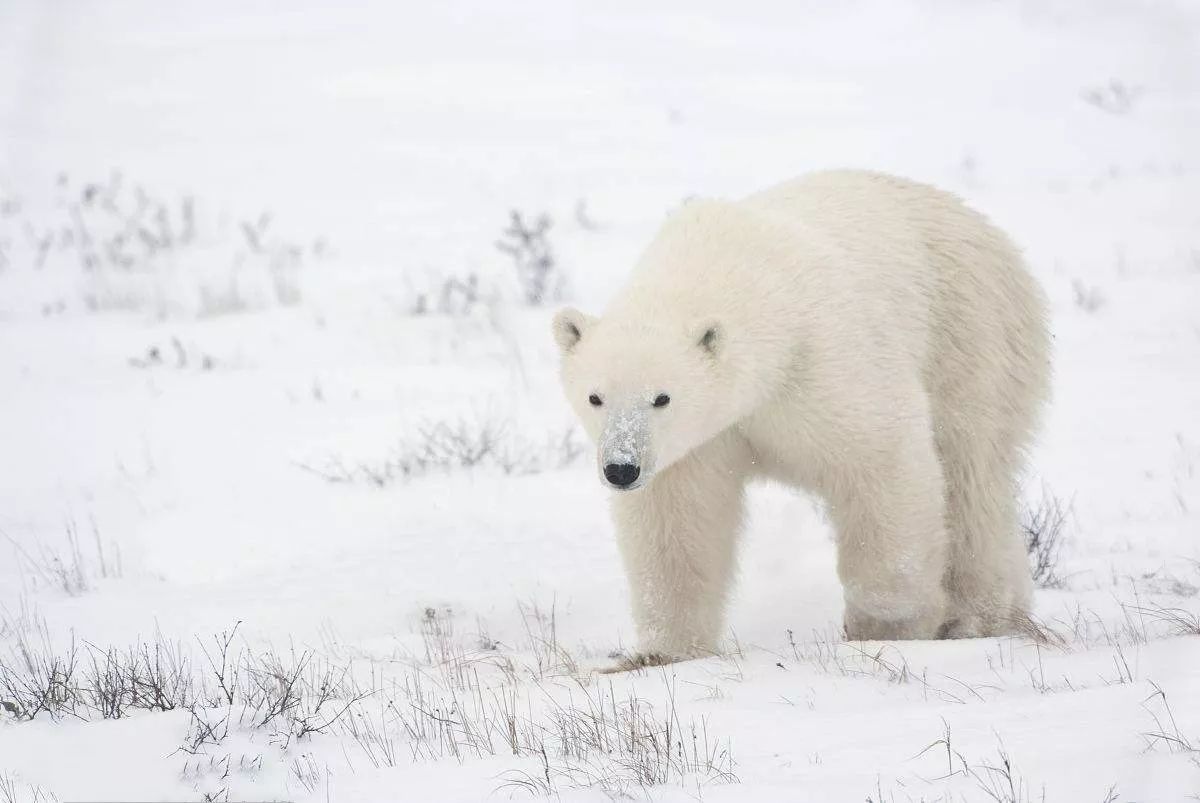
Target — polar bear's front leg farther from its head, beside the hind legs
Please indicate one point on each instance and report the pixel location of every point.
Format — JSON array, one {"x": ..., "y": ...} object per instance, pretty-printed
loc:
[{"x": 892, "y": 543}]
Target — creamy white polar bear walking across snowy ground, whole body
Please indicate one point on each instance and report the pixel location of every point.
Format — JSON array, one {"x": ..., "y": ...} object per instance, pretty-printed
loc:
[{"x": 863, "y": 337}]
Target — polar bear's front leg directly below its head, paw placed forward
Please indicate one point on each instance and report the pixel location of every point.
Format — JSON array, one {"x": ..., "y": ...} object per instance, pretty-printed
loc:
[{"x": 677, "y": 538}]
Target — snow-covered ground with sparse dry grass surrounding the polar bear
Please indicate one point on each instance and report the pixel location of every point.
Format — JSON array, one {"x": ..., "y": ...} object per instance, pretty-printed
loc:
[{"x": 237, "y": 420}]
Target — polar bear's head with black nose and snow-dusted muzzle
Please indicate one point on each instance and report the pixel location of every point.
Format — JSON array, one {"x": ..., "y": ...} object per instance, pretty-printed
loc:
[{"x": 647, "y": 394}]
